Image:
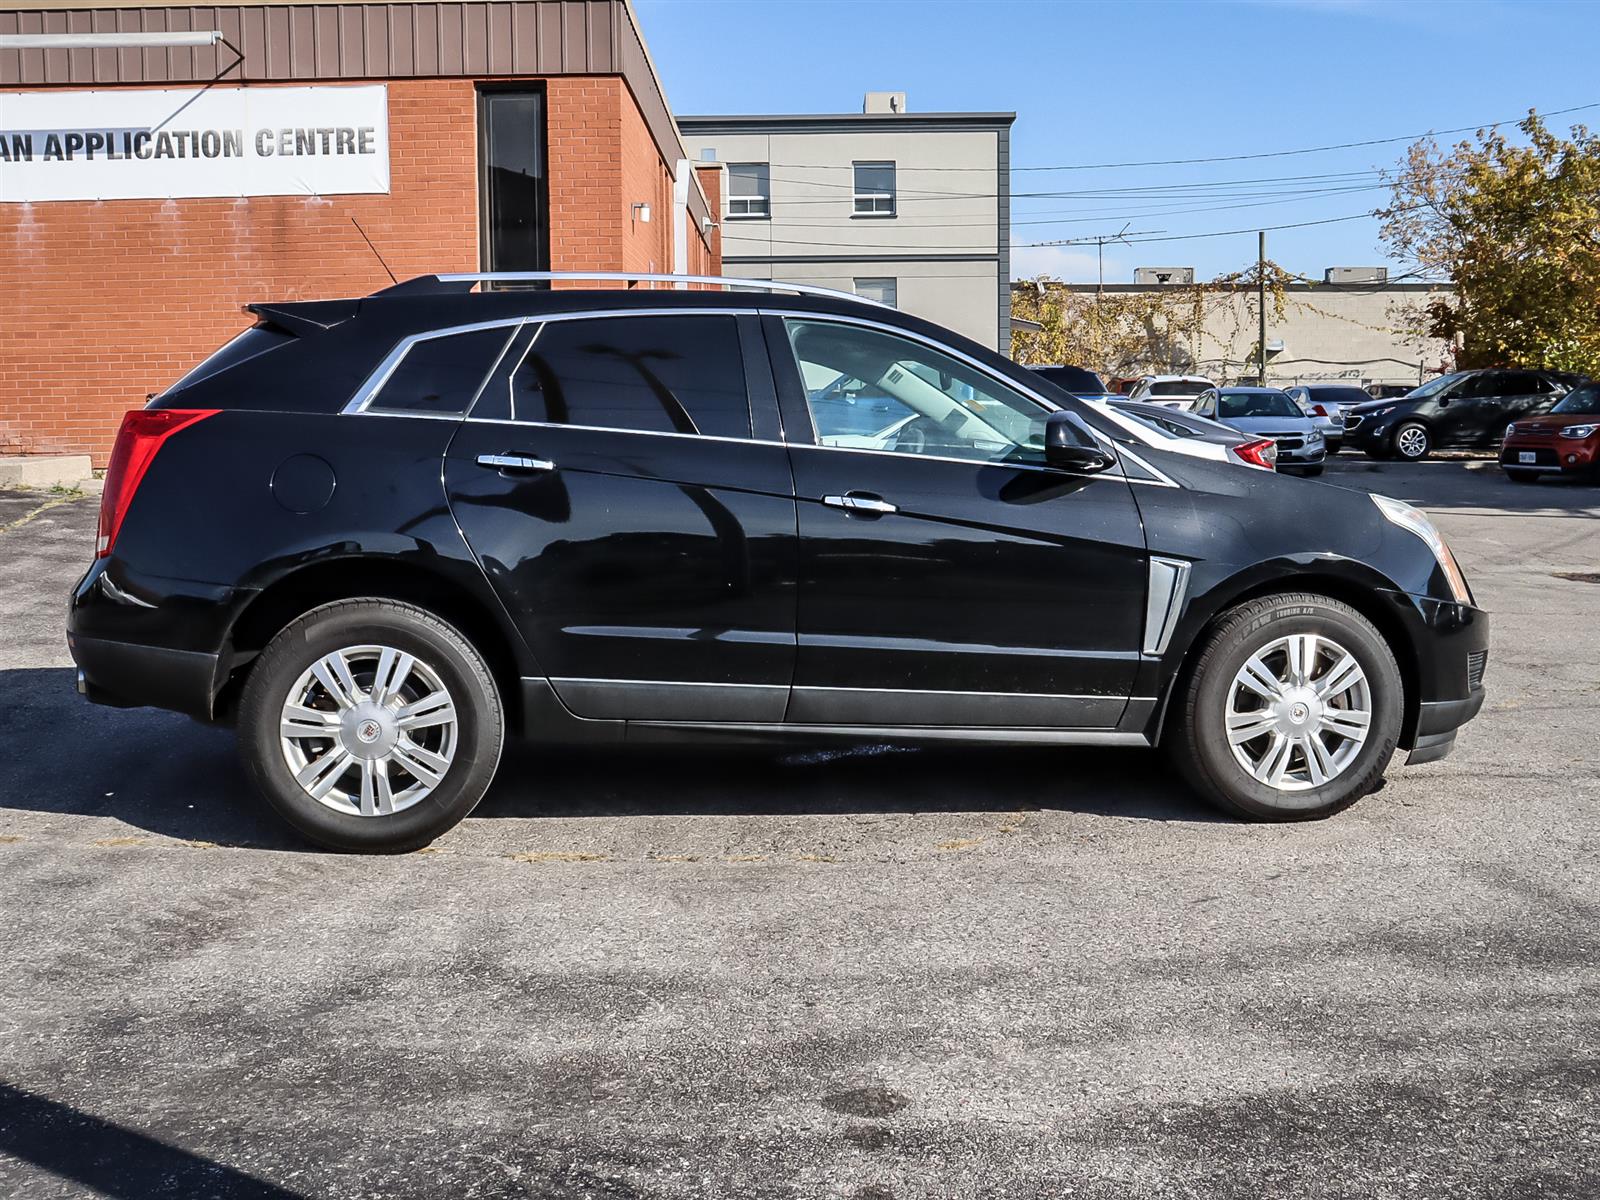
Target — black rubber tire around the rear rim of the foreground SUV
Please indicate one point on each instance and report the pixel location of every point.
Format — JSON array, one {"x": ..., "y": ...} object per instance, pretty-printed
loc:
[{"x": 441, "y": 650}]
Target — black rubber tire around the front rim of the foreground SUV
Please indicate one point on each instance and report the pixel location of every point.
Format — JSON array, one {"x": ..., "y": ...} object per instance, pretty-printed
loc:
[{"x": 1198, "y": 735}]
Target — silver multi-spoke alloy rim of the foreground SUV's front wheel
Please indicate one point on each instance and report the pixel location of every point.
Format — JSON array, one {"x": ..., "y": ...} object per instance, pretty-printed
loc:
[{"x": 1298, "y": 713}]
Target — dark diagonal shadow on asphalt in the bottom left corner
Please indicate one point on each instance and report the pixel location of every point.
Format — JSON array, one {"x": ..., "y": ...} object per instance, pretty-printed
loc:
[{"x": 113, "y": 1159}]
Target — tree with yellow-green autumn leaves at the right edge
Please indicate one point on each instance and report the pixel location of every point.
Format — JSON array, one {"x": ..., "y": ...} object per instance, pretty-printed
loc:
[{"x": 1518, "y": 228}]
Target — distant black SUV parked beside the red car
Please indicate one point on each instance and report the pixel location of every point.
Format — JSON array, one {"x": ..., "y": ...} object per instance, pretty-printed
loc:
[{"x": 1468, "y": 410}]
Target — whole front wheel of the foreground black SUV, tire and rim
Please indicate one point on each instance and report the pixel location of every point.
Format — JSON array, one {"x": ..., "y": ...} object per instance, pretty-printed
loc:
[{"x": 1292, "y": 710}]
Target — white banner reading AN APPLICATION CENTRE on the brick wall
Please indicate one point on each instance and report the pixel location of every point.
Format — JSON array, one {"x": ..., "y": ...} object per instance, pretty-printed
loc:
[{"x": 194, "y": 142}]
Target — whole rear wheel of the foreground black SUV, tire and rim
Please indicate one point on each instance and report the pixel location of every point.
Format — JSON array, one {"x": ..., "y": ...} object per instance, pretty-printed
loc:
[{"x": 370, "y": 726}]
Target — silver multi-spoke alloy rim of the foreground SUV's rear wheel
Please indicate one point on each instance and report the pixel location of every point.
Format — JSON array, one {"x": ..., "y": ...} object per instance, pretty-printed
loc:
[{"x": 369, "y": 730}]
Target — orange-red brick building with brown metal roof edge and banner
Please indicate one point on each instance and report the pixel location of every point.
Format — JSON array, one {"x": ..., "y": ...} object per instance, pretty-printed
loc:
[{"x": 164, "y": 166}]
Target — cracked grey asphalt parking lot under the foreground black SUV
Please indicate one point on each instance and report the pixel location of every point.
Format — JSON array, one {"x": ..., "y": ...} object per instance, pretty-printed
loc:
[{"x": 881, "y": 974}]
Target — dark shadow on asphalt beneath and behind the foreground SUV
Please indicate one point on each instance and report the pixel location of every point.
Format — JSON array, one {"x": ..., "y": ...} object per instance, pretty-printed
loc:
[{"x": 177, "y": 778}]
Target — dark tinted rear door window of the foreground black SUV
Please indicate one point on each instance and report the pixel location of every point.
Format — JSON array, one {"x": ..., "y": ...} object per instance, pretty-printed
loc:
[{"x": 650, "y": 375}]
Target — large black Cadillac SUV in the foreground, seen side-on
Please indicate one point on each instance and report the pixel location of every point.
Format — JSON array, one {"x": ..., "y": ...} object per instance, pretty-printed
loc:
[{"x": 382, "y": 535}]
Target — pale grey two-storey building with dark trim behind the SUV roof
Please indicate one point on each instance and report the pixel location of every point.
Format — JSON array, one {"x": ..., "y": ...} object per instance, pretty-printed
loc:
[{"x": 908, "y": 209}]
